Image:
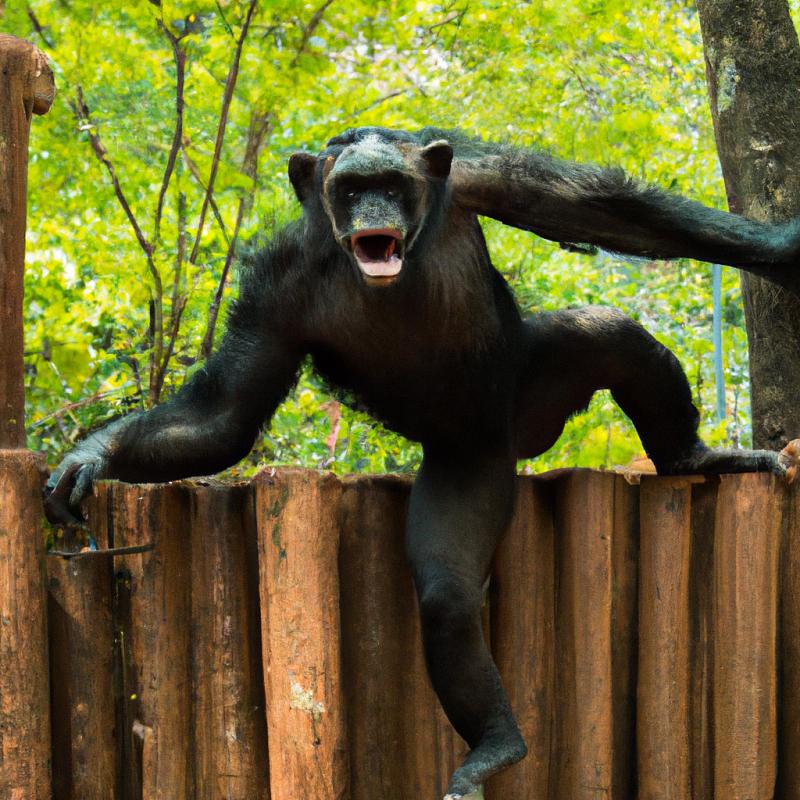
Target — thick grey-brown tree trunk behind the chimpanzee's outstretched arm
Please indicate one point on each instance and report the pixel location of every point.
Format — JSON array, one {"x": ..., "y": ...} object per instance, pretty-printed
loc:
[{"x": 753, "y": 71}]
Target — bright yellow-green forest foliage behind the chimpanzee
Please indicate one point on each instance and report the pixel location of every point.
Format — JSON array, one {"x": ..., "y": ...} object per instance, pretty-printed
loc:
[{"x": 165, "y": 155}]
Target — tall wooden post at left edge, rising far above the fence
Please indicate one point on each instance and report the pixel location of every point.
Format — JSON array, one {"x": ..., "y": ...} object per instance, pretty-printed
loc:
[{"x": 26, "y": 87}]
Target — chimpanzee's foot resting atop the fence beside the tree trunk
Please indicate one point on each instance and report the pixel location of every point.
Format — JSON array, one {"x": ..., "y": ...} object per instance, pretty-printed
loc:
[{"x": 704, "y": 459}]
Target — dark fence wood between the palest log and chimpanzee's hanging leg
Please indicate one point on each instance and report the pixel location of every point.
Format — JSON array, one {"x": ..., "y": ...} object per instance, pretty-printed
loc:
[{"x": 401, "y": 745}]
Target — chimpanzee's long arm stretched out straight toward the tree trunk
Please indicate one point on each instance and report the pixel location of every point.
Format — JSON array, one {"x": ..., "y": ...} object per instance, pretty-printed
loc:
[{"x": 578, "y": 204}]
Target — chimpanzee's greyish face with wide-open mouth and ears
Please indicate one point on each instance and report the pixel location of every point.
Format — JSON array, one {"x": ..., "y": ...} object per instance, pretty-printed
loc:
[{"x": 375, "y": 194}]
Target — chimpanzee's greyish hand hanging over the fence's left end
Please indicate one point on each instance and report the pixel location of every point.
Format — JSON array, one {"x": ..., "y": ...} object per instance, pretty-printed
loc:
[{"x": 71, "y": 482}]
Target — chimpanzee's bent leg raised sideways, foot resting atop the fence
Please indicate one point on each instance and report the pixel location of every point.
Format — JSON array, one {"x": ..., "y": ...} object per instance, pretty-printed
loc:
[{"x": 573, "y": 353}]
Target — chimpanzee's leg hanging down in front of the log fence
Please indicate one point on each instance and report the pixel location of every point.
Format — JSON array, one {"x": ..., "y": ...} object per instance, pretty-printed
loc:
[{"x": 460, "y": 507}]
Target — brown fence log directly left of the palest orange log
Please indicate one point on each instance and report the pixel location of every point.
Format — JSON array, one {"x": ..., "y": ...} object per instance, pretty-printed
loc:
[{"x": 230, "y": 737}]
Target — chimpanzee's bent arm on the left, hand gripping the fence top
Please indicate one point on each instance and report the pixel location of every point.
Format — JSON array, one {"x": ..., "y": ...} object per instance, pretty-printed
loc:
[{"x": 212, "y": 422}]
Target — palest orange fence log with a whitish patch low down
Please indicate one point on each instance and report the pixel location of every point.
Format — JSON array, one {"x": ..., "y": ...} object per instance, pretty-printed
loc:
[{"x": 298, "y": 537}]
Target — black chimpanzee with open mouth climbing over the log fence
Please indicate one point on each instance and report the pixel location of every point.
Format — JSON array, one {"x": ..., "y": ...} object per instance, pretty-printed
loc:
[{"x": 387, "y": 283}]
